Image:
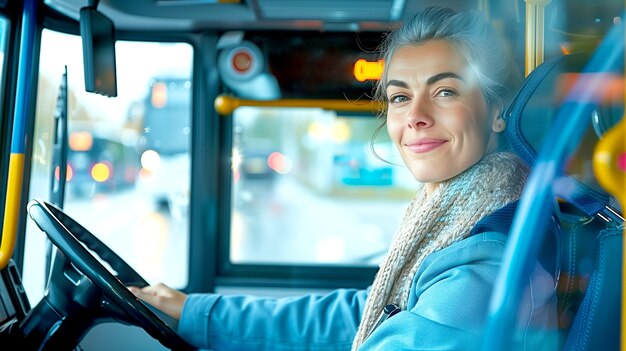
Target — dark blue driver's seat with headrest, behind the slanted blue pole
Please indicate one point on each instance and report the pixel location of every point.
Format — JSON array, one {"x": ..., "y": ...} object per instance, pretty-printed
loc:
[{"x": 589, "y": 284}]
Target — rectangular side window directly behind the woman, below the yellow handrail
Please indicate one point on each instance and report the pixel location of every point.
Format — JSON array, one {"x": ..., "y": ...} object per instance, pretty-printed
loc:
[{"x": 307, "y": 189}]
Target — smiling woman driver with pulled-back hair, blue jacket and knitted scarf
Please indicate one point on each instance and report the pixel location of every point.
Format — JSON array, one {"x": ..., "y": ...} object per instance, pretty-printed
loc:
[{"x": 447, "y": 79}]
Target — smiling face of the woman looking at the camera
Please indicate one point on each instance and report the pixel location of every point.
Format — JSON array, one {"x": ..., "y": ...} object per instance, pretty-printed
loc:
[{"x": 436, "y": 114}]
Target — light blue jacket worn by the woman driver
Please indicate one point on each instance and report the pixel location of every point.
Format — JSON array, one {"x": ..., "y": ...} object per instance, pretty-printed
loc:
[{"x": 447, "y": 310}]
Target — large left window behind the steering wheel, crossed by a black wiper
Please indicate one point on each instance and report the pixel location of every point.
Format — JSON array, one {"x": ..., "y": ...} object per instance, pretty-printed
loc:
[{"x": 128, "y": 158}]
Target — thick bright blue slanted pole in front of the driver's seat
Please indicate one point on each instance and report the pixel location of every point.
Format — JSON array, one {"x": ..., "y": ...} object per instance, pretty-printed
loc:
[{"x": 535, "y": 205}]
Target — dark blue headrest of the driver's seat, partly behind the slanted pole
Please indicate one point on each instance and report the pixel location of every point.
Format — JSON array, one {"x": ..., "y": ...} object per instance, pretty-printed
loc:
[{"x": 531, "y": 114}]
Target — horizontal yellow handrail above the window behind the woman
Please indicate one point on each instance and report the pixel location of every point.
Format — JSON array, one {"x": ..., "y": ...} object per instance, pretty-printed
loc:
[{"x": 226, "y": 104}]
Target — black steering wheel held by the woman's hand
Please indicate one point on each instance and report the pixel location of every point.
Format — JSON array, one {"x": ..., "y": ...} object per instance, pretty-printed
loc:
[{"x": 72, "y": 239}]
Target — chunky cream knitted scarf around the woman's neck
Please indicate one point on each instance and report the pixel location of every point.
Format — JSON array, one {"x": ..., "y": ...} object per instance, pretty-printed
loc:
[{"x": 437, "y": 221}]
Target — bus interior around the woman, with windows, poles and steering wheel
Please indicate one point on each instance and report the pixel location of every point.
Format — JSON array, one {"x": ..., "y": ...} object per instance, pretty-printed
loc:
[{"x": 230, "y": 146}]
